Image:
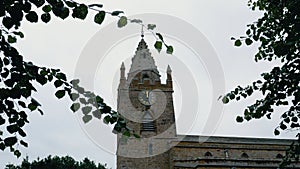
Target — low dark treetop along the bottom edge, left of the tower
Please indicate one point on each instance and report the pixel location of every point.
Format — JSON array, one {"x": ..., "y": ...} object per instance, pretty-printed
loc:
[{"x": 57, "y": 163}]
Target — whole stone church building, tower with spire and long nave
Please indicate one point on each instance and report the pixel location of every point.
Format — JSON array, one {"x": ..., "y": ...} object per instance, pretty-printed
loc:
[{"x": 147, "y": 105}]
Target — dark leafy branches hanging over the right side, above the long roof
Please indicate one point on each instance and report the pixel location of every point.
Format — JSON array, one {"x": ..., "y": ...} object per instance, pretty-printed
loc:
[{"x": 278, "y": 33}]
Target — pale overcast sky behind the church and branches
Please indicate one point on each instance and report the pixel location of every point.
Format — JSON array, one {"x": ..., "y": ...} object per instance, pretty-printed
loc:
[{"x": 64, "y": 44}]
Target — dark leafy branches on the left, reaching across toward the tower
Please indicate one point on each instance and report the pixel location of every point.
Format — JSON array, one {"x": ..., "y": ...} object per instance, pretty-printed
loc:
[{"x": 20, "y": 77}]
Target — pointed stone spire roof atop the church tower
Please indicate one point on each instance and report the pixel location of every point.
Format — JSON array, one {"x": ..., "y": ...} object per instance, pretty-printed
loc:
[{"x": 142, "y": 60}]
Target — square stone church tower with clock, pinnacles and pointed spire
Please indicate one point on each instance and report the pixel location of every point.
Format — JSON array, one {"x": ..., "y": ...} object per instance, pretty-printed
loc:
[{"x": 147, "y": 106}]
